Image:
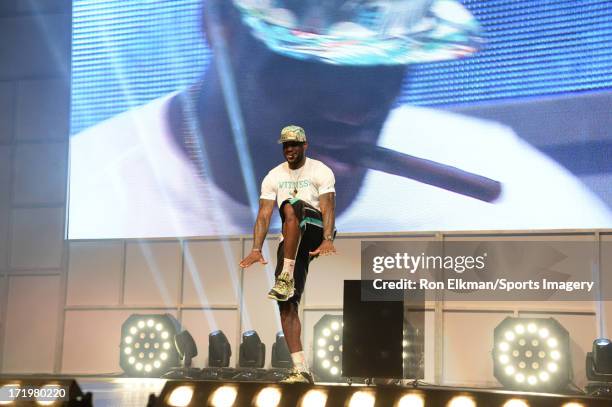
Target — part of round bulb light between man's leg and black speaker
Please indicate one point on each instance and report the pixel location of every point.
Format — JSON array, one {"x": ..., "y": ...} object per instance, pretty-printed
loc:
[{"x": 327, "y": 365}]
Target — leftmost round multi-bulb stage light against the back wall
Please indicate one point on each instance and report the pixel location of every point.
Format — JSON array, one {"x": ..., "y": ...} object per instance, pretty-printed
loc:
[{"x": 144, "y": 352}]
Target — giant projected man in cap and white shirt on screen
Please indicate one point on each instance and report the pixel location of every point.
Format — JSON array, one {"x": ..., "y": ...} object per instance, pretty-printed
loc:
[{"x": 188, "y": 164}]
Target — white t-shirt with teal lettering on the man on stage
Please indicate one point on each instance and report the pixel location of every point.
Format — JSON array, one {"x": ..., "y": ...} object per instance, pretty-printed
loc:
[{"x": 311, "y": 180}]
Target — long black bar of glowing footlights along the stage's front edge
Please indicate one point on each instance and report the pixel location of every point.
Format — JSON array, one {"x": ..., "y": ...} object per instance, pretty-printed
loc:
[{"x": 254, "y": 394}]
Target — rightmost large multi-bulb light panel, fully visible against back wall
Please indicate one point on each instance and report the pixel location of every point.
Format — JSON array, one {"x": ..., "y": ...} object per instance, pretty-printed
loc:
[{"x": 531, "y": 354}]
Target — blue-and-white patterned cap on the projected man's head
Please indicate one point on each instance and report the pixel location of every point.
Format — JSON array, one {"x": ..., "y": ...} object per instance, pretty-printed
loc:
[{"x": 363, "y": 32}]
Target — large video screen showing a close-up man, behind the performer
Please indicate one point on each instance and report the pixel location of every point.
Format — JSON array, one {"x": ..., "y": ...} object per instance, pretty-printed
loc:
[{"x": 432, "y": 114}]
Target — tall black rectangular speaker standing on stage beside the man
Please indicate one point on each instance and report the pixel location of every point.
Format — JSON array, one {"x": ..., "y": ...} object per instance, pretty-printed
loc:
[{"x": 372, "y": 335}]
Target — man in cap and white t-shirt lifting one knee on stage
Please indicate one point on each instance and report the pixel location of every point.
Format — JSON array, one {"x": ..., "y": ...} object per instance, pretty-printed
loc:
[{"x": 304, "y": 191}]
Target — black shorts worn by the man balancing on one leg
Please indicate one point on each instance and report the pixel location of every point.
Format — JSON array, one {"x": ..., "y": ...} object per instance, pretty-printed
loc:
[{"x": 311, "y": 236}]
